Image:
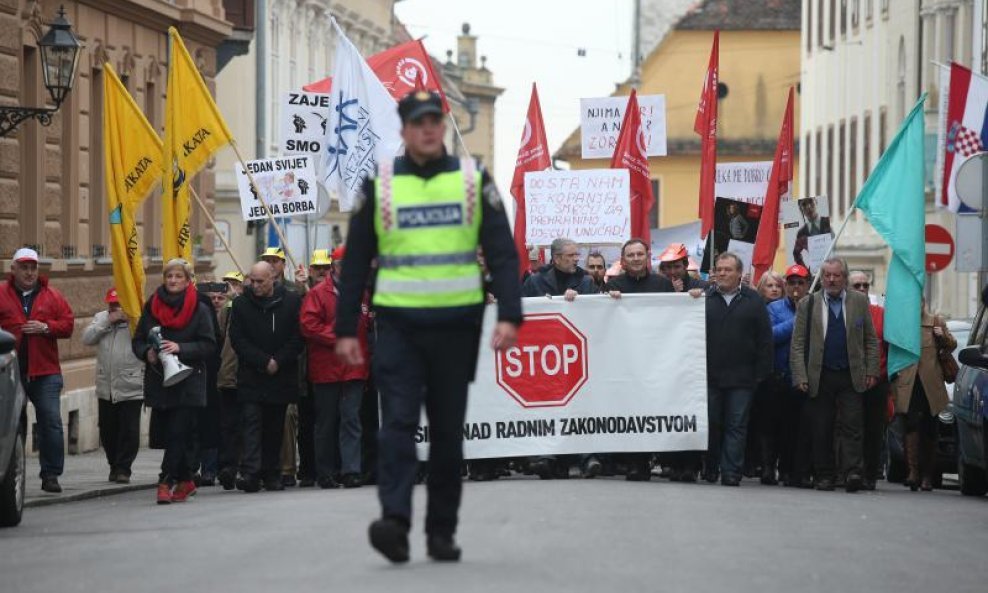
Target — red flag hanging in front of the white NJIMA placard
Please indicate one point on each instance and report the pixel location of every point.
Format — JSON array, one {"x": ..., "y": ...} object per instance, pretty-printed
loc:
[{"x": 631, "y": 153}]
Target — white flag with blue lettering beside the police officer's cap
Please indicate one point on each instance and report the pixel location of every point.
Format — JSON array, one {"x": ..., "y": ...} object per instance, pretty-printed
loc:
[{"x": 363, "y": 127}]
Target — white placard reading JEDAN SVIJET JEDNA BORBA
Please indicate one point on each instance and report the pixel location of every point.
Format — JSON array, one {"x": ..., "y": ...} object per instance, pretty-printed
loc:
[{"x": 287, "y": 184}]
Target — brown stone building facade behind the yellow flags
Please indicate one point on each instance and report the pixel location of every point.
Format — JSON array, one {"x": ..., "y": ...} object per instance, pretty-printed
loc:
[{"x": 52, "y": 189}]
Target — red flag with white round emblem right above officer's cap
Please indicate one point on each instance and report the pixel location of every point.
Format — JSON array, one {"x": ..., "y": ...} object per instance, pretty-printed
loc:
[{"x": 399, "y": 69}]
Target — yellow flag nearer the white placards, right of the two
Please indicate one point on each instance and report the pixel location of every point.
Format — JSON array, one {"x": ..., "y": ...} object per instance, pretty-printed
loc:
[{"x": 194, "y": 130}]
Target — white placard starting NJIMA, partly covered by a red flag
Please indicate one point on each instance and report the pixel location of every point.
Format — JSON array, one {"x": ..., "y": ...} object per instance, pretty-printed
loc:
[{"x": 600, "y": 124}]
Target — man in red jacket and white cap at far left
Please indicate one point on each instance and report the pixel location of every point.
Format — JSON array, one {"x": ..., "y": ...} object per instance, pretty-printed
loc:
[{"x": 38, "y": 315}]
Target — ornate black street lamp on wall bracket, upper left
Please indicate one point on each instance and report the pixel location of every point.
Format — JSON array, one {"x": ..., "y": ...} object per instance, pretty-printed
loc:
[{"x": 60, "y": 50}]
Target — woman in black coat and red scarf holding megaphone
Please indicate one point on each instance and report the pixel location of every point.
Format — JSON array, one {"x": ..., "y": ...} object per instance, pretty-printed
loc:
[{"x": 187, "y": 332}]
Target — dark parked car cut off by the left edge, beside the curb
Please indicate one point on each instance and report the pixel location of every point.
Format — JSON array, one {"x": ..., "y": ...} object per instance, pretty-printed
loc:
[{"x": 13, "y": 429}]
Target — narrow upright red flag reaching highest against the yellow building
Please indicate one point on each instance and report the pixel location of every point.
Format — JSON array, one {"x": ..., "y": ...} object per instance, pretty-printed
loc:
[{"x": 706, "y": 126}]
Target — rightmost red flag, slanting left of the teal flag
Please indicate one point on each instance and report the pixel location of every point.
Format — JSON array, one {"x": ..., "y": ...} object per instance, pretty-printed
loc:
[{"x": 779, "y": 188}]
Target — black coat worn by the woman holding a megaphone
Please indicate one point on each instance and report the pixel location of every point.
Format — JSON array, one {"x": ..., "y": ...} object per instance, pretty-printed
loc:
[{"x": 197, "y": 343}]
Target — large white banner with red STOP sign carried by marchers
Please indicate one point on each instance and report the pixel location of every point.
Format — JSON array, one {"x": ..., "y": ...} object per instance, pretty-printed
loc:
[{"x": 591, "y": 376}]
